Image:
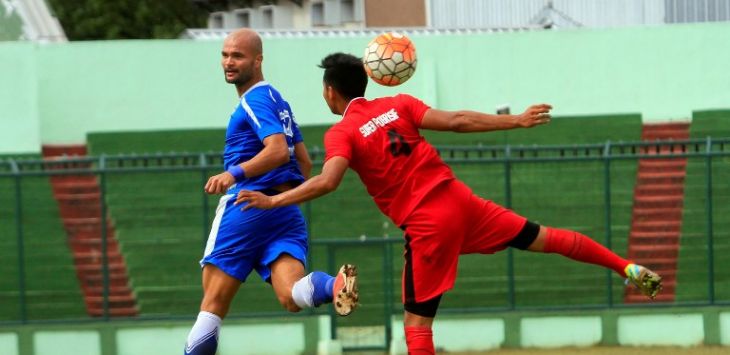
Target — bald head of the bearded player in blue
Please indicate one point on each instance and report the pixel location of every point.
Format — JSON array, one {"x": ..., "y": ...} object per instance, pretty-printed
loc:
[{"x": 242, "y": 55}]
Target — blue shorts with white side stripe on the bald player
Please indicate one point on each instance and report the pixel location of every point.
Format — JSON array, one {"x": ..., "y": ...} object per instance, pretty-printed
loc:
[{"x": 241, "y": 241}]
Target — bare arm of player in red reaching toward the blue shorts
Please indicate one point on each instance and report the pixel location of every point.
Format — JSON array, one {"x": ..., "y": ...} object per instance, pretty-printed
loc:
[{"x": 330, "y": 178}]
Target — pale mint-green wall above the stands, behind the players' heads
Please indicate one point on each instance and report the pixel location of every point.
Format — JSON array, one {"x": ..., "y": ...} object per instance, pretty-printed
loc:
[{"x": 63, "y": 91}]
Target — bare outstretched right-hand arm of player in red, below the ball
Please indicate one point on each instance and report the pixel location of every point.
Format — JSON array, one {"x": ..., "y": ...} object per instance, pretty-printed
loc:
[{"x": 472, "y": 121}]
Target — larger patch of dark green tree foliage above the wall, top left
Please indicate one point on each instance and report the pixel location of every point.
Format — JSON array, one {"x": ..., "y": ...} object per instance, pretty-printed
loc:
[{"x": 126, "y": 19}]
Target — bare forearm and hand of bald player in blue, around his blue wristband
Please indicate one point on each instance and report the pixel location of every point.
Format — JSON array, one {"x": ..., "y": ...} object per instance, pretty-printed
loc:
[{"x": 274, "y": 154}]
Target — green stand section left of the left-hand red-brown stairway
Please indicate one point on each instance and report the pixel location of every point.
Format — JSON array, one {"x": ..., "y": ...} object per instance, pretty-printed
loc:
[{"x": 51, "y": 288}]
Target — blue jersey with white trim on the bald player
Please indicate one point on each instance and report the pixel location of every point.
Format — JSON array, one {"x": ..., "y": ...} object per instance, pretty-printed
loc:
[{"x": 261, "y": 113}]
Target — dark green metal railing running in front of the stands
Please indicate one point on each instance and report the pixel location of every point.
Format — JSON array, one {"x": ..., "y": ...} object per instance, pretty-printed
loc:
[{"x": 711, "y": 152}]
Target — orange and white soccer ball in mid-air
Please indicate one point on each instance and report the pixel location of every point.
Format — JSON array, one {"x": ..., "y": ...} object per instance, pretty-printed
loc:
[{"x": 390, "y": 59}]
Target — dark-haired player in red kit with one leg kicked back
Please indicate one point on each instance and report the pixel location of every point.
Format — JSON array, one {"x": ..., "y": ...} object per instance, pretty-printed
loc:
[{"x": 441, "y": 217}]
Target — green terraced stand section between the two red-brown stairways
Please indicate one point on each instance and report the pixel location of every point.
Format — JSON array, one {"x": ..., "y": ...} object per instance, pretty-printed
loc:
[{"x": 161, "y": 232}]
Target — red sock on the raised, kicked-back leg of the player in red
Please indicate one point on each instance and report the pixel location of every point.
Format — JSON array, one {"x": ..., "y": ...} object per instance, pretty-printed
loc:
[{"x": 579, "y": 247}]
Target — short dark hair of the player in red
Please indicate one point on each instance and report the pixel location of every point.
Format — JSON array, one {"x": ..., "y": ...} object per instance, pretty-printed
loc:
[{"x": 345, "y": 73}]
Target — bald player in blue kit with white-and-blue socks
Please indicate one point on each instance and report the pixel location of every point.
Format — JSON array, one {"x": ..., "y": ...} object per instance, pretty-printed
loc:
[{"x": 264, "y": 152}]
